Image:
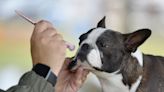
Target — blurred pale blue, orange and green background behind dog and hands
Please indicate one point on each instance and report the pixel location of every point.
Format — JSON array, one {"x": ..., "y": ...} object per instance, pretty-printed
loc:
[{"x": 72, "y": 18}]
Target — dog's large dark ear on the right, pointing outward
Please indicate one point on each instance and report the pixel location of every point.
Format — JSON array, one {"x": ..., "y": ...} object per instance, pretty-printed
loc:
[{"x": 135, "y": 39}]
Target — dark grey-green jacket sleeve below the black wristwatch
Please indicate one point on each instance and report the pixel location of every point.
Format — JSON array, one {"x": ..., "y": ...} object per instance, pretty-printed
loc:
[{"x": 31, "y": 82}]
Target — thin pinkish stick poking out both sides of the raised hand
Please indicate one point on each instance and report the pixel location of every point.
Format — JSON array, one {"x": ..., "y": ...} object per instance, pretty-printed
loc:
[{"x": 70, "y": 46}]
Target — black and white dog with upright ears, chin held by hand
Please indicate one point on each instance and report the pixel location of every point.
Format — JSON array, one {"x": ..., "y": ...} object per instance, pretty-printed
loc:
[{"x": 113, "y": 57}]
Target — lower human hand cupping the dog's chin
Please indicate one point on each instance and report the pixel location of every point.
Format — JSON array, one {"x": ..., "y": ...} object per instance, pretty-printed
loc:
[{"x": 69, "y": 81}]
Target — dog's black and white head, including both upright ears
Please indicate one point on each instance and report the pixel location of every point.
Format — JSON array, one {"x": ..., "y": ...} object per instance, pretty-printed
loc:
[{"x": 102, "y": 49}]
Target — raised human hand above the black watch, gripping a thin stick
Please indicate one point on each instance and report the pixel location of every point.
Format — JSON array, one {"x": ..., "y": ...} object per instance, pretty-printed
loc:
[{"x": 47, "y": 46}]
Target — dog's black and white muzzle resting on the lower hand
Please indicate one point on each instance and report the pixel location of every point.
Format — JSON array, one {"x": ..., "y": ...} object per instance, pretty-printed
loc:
[{"x": 90, "y": 61}]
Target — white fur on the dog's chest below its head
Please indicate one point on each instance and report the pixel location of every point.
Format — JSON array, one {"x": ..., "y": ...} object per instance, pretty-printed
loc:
[{"x": 113, "y": 82}]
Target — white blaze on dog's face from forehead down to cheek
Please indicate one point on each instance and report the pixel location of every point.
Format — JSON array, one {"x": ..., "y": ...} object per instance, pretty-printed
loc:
[{"x": 94, "y": 55}]
